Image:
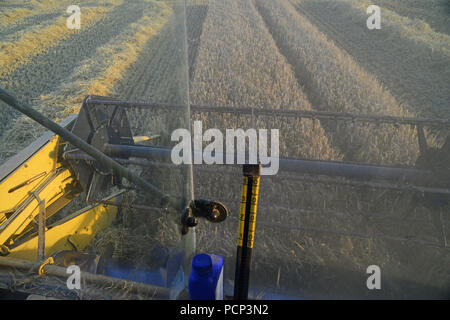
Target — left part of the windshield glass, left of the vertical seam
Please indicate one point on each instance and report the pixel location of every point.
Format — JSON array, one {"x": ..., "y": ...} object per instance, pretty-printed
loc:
[{"x": 52, "y": 55}]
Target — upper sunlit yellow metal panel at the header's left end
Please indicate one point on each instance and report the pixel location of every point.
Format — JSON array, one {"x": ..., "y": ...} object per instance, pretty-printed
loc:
[{"x": 40, "y": 173}]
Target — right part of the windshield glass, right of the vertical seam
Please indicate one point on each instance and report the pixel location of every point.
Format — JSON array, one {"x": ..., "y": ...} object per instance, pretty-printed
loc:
[{"x": 321, "y": 235}]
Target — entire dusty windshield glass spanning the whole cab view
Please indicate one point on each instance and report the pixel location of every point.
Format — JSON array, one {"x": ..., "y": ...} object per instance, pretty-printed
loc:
[{"x": 345, "y": 103}]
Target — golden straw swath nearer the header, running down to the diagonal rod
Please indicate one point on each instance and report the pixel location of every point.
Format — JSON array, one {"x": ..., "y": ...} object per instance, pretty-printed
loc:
[{"x": 108, "y": 65}]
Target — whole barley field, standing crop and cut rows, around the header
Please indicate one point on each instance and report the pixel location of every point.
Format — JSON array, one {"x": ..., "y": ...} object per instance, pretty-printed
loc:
[{"x": 313, "y": 239}]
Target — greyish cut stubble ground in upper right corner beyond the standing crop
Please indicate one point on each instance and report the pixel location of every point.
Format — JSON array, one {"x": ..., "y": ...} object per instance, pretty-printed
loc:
[{"x": 406, "y": 55}]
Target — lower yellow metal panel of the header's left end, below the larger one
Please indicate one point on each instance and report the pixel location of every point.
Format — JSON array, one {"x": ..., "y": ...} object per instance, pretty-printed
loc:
[{"x": 75, "y": 232}]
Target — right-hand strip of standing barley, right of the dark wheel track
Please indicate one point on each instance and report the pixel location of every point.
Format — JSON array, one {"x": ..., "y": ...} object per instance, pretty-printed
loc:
[{"x": 333, "y": 81}]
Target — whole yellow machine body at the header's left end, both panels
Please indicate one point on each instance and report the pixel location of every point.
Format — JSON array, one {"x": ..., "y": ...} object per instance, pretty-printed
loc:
[{"x": 37, "y": 176}]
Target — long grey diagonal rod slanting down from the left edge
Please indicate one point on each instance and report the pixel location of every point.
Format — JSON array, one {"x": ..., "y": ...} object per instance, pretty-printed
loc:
[{"x": 78, "y": 142}]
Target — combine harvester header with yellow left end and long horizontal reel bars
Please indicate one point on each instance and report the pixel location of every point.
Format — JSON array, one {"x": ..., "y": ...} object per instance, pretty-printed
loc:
[{"x": 91, "y": 151}]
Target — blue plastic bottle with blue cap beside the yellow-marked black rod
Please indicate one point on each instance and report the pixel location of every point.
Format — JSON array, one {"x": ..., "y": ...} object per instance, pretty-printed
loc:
[{"x": 206, "y": 278}]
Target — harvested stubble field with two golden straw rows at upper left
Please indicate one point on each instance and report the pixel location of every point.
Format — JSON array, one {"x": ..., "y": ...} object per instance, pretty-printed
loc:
[{"x": 53, "y": 68}]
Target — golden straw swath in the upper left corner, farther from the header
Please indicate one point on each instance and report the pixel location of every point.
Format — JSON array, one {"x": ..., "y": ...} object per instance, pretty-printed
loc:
[{"x": 38, "y": 41}]
